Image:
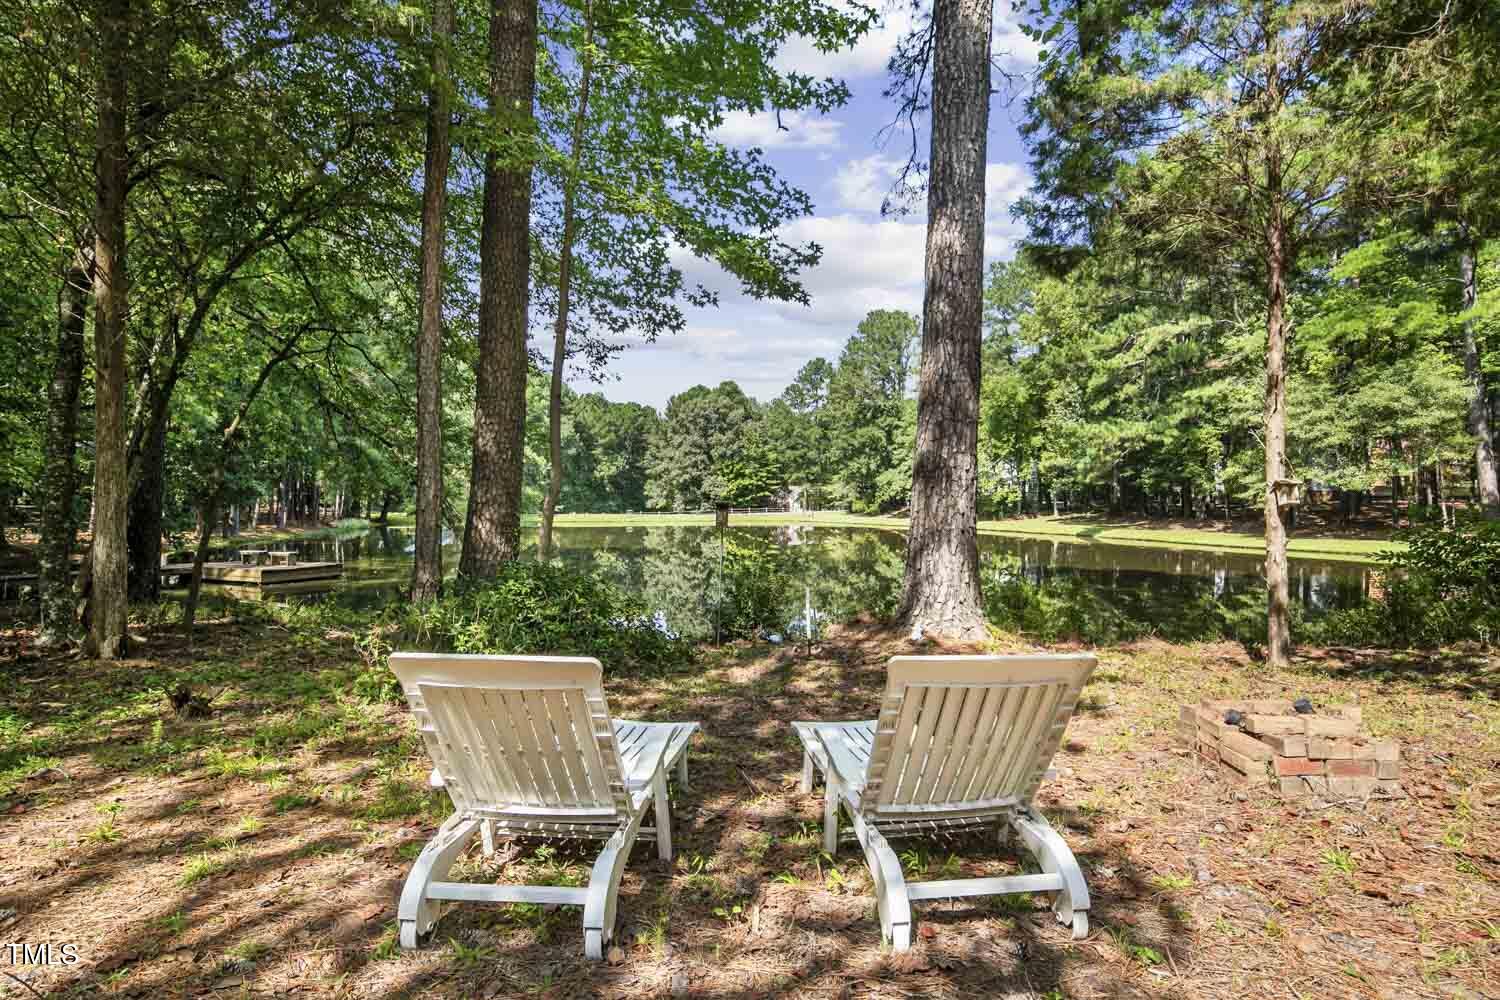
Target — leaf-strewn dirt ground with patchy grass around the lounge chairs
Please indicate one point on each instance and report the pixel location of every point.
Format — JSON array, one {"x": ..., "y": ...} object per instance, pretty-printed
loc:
[{"x": 259, "y": 851}]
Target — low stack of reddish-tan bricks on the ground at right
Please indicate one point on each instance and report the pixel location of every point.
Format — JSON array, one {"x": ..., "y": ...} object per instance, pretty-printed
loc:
[{"x": 1298, "y": 755}]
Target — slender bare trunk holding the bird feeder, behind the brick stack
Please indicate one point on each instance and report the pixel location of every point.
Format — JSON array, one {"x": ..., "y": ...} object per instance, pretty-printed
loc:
[{"x": 1279, "y": 597}]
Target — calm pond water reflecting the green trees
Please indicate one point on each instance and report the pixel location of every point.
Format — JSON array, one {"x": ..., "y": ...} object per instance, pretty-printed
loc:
[{"x": 845, "y": 570}]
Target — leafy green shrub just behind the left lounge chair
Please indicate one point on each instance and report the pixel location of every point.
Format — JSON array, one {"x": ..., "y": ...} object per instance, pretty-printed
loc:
[{"x": 530, "y": 608}]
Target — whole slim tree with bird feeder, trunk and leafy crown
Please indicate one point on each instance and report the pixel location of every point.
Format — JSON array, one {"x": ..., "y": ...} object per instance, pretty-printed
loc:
[{"x": 1201, "y": 134}]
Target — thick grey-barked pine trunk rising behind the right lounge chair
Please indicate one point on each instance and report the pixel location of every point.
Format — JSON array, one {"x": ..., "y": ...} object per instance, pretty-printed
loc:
[{"x": 943, "y": 555}]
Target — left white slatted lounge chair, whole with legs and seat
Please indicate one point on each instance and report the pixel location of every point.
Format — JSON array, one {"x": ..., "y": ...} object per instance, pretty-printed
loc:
[{"x": 526, "y": 746}]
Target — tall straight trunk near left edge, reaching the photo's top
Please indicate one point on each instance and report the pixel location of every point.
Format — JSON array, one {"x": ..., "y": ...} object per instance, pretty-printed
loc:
[{"x": 107, "y": 638}]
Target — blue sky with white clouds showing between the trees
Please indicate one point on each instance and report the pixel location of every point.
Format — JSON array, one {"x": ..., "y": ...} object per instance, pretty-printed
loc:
[{"x": 869, "y": 263}]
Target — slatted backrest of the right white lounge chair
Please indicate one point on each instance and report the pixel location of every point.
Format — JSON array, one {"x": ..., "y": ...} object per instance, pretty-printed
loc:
[{"x": 965, "y": 732}]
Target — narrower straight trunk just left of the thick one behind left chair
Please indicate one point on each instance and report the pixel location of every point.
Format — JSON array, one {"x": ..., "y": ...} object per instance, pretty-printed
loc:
[{"x": 427, "y": 573}]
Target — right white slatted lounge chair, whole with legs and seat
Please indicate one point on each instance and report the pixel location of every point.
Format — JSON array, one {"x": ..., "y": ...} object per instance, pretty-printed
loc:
[{"x": 961, "y": 743}]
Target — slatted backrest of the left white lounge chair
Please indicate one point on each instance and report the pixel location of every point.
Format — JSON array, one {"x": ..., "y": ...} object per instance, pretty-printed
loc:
[{"x": 518, "y": 734}]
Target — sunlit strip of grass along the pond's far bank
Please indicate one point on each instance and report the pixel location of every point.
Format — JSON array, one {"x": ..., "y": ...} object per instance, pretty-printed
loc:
[{"x": 1063, "y": 528}]
